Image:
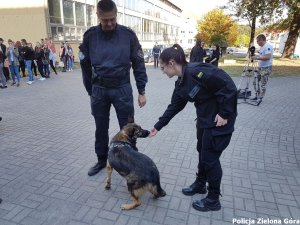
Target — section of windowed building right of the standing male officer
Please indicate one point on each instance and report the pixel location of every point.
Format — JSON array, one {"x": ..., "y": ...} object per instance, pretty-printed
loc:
[{"x": 153, "y": 21}]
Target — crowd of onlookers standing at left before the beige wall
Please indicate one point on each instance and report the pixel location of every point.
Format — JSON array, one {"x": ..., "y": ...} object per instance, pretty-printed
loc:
[{"x": 20, "y": 56}]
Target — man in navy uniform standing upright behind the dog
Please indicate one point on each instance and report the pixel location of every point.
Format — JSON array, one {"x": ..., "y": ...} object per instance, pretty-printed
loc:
[{"x": 106, "y": 55}]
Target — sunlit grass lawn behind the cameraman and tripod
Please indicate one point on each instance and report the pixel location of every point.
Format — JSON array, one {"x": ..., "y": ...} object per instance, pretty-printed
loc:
[{"x": 281, "y": 67}]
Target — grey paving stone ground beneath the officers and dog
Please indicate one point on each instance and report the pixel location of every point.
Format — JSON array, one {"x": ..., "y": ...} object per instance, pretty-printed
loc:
[{"x": 46, "y": 148}]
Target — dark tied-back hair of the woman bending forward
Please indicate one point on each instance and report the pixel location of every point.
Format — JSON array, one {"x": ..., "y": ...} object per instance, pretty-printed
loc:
[{"x": 175, "y": 52}]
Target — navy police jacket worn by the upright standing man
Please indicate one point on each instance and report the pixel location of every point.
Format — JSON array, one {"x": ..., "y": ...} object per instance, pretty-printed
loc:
[{"x": 106, "y": 58}]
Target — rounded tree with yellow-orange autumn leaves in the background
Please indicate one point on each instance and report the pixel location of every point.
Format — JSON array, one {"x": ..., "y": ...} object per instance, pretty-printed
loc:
[{"x": 217, "y": 28}]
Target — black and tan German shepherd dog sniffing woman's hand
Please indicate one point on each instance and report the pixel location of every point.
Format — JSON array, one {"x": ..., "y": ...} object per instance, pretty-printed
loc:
[{"x": 138, "y": 169}]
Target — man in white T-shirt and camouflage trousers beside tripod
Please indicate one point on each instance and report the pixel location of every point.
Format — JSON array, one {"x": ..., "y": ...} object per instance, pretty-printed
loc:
[{"x": 265, "y": 61}]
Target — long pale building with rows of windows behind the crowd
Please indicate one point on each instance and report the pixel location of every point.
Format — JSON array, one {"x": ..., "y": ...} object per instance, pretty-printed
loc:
[{"x": 67, "y": 20}]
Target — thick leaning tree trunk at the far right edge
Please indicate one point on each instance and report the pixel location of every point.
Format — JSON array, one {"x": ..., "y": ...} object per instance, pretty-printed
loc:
[{"x": 291, "y": 41}]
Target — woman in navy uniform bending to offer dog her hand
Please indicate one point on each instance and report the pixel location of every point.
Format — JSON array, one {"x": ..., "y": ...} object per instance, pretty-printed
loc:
[{"x": 215, "y": 98}]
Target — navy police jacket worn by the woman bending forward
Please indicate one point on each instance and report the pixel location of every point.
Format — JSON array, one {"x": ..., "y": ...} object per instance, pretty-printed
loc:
[{"x": 212, "y": 91}]
